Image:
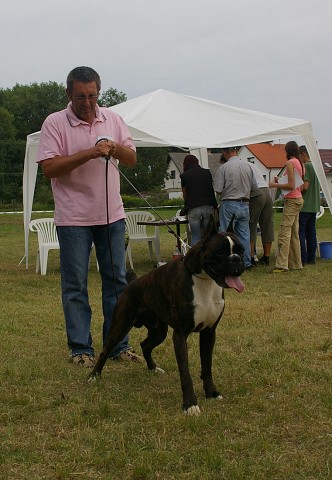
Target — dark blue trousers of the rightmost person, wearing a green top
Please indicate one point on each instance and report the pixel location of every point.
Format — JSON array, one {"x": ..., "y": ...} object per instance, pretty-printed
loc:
[{"x": 308, "y": 237}]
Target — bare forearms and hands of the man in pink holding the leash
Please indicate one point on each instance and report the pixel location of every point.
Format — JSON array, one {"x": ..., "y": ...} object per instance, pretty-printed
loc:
[{"x": 59, "y": 165}]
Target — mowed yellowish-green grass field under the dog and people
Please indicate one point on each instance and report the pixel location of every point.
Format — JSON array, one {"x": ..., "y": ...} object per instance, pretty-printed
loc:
[{"x": 272, "y": 362}]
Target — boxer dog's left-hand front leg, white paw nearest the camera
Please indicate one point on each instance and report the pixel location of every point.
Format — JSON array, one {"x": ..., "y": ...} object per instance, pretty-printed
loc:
[{"x": 181, "y": 352}]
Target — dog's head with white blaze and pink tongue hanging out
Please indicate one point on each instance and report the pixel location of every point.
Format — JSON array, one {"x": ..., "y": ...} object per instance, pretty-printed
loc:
[{"x": 220, "y": 255}]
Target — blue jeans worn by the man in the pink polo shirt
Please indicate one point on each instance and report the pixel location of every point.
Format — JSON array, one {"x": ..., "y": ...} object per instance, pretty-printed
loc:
[{"x": 75, "y": 248}]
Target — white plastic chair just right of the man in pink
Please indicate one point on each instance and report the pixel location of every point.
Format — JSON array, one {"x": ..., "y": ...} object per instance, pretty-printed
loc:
[{"x": 137, "y": 233}]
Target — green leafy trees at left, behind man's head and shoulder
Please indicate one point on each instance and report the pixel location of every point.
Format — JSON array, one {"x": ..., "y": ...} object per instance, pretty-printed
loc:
[{"x": 23, "y": 110}]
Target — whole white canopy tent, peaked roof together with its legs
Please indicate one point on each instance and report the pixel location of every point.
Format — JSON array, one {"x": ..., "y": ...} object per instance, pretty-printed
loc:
[{"x": 164, "y": 118}]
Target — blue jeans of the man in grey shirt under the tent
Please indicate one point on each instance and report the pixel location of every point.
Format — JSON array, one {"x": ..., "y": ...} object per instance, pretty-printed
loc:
[{"x": 239, "y": 212}]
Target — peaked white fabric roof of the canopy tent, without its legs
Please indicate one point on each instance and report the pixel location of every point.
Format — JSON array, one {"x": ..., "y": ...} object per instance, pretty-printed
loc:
[{"x": 168, "y": 118}]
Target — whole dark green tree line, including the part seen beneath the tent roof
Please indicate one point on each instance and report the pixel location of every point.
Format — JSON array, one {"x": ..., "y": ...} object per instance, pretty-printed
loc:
[{"x": 23, "y": 109}]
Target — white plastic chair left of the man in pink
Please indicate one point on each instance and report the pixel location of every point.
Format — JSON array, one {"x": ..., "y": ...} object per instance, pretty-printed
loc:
[{"x": 47, "y": 240}]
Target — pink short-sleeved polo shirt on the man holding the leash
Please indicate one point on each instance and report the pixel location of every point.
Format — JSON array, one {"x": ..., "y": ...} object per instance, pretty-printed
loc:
[{"x": 80, "y": 195}]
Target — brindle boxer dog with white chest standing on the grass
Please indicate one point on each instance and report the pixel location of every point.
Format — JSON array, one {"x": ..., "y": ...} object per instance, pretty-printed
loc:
[{"x": 188, "y": 295}]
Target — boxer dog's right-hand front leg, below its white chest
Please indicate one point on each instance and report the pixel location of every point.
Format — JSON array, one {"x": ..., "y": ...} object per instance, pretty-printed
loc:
[{"x": 207, "y": 340}]
